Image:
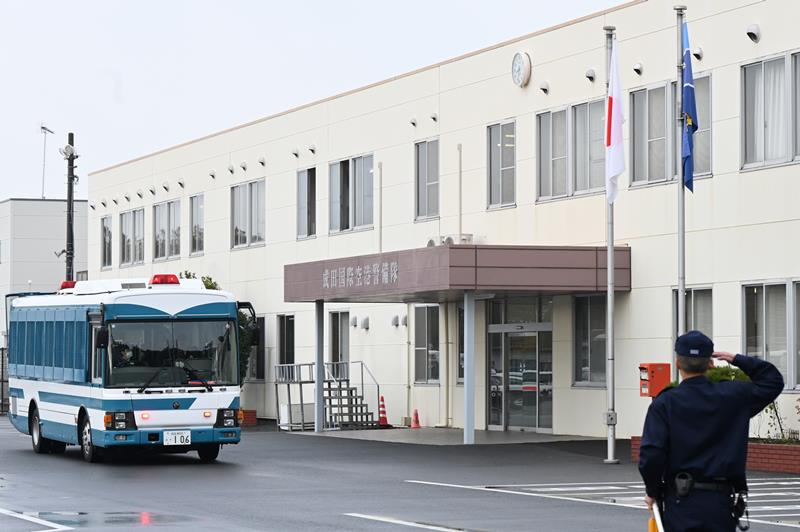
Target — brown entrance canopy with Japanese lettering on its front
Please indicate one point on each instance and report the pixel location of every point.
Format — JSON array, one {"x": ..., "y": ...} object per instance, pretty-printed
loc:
[{"x": 444, "y": 273}]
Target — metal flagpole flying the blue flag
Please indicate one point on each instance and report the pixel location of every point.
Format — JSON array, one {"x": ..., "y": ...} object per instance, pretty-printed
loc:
[{"x": 680, "y": 10}]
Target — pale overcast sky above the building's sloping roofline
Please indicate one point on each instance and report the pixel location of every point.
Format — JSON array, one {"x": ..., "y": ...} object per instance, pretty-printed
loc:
[{"x": 136, "y": 76}]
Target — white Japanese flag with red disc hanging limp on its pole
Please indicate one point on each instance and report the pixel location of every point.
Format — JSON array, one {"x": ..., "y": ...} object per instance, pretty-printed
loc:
[{"x": 615, "y": 155}]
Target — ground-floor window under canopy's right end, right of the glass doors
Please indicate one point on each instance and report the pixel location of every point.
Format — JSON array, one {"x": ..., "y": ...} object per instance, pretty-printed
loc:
[{"x": 590, "y": 340}]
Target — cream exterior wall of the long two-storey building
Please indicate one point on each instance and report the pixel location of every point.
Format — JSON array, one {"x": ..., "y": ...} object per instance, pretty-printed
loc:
[{"x": 740, "y": 224}]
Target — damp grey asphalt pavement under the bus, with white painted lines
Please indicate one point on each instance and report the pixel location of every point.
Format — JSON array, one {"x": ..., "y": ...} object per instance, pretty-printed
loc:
[{"x": 276, "y": 481}]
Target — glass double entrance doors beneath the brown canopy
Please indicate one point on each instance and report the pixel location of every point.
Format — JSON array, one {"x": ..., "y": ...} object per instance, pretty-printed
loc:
[{"x": 520, "y": 372}]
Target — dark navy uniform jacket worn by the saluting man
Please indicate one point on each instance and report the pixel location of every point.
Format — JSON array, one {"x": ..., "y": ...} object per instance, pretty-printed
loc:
[{"x": 701, "y": 428}]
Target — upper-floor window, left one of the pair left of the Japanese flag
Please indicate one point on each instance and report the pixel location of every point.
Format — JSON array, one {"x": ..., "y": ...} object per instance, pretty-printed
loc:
[{"x": 552, "y": 154}]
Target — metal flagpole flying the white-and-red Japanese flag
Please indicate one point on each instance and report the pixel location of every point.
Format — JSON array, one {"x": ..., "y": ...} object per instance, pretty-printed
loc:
[{"x": 611, "y": 415}]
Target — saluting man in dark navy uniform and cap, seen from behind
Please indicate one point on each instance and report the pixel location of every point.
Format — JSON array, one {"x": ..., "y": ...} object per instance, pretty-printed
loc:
[{"x": 694, "y": 442}]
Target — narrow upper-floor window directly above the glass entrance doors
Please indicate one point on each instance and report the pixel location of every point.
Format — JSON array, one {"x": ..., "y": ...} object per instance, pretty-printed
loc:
[{"x": 502, "y": 164}]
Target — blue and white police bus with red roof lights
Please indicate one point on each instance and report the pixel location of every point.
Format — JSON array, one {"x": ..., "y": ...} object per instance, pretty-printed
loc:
[{"x": 125, "y": 364}]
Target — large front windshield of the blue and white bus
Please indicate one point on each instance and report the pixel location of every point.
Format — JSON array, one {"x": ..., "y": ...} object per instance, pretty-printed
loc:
[{"x": 178, "y": 353}]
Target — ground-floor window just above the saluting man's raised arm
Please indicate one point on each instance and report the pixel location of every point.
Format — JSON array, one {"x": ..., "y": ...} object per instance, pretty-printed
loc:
[{"x": 766, "y": 333}]
